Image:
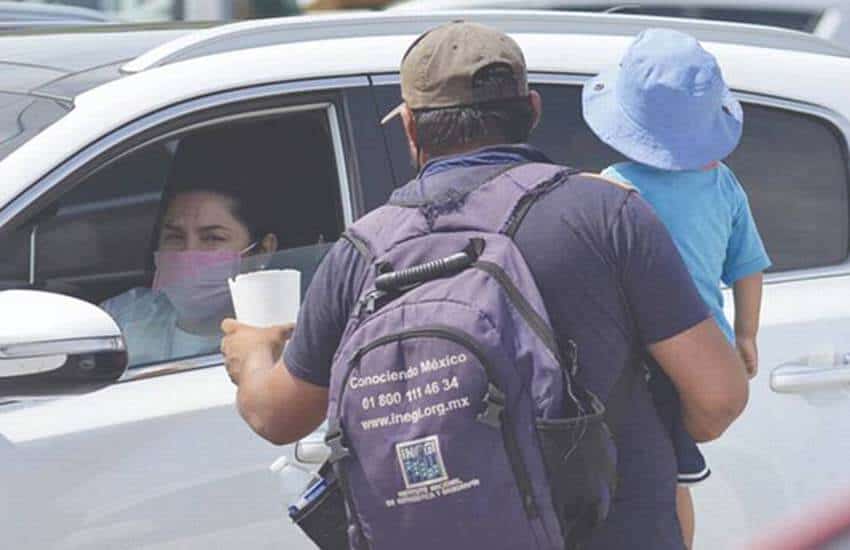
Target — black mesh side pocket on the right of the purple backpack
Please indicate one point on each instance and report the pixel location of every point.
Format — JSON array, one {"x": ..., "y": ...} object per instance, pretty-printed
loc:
[{"x": 581, "y": 462}]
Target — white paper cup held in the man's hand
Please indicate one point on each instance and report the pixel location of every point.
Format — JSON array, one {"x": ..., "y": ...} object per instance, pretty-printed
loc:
[{"x": 266, "y": 298}]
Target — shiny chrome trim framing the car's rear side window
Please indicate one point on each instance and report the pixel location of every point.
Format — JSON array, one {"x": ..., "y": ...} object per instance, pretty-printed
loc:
[{"x": 834, "y": 118}]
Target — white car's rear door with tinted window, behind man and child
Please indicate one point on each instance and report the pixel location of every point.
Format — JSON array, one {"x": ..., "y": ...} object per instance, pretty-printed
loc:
[{"x": 787, "y": 450}]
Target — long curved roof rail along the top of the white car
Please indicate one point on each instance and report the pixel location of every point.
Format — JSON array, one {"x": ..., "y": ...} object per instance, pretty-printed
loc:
[{"x": 253, "y": 34}]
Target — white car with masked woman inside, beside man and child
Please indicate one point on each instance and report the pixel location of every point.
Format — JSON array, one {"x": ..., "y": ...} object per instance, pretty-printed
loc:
[{"x": 156, "y": 457}]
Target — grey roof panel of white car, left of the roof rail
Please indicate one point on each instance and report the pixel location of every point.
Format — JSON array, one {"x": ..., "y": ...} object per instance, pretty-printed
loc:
[{"x": 41, "y": 61}]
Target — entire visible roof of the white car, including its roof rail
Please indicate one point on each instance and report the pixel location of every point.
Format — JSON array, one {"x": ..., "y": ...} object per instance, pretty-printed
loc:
[{"x": 64, "y": 63}]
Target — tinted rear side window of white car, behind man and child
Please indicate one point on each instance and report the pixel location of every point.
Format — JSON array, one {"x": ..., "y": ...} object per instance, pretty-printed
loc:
[{"x": 794, "y": 167}]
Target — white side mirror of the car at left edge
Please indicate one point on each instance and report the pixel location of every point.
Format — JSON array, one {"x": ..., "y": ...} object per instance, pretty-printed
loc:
[{"x": 53, "y": 345}]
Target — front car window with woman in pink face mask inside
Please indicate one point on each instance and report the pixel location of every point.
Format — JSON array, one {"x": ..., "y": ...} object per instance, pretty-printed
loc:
[{"x": 154, "y": 236}]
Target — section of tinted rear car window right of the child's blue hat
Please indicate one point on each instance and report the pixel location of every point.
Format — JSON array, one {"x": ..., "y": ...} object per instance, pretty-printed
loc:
[{"x": 794, "y": 167}]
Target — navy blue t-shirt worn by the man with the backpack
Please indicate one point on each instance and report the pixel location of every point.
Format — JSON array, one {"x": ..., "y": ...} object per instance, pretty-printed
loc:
[{"x": 612, "y": 281}]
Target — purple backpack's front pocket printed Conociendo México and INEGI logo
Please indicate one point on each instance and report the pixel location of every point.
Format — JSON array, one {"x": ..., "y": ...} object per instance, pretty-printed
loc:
[{"x": 425, "y": 444}]
